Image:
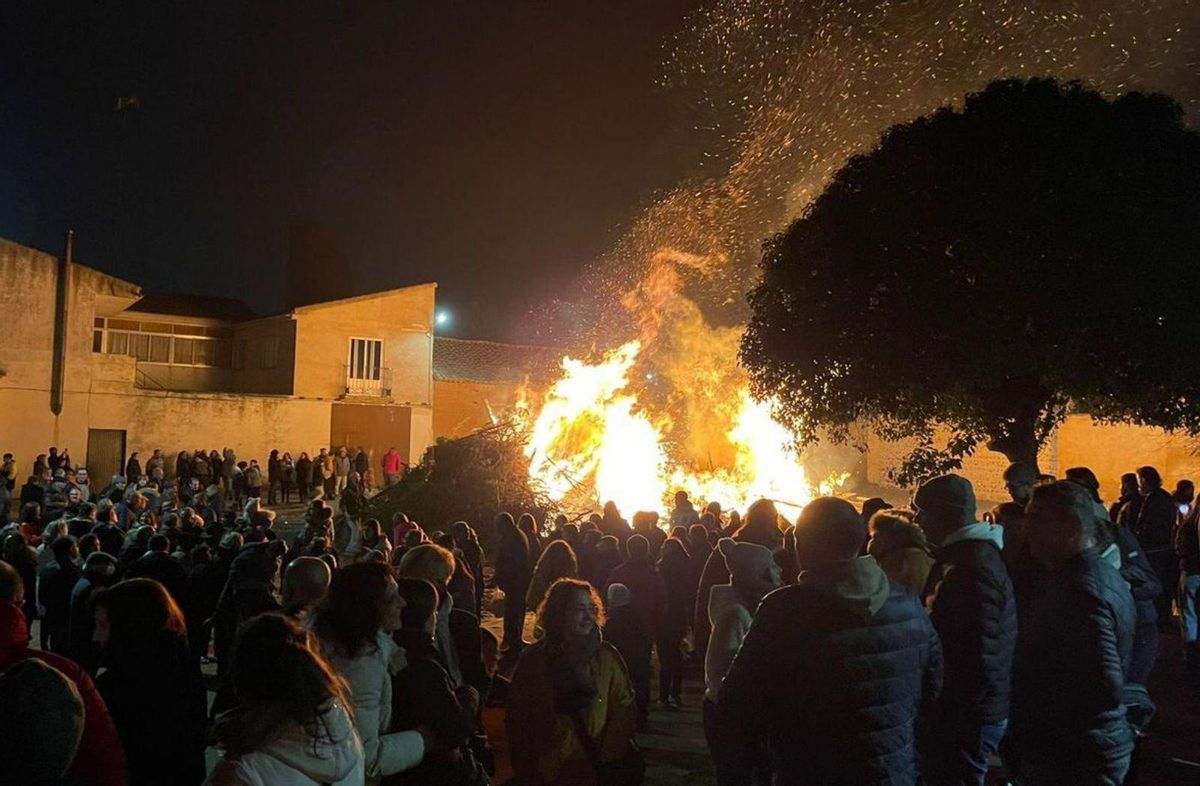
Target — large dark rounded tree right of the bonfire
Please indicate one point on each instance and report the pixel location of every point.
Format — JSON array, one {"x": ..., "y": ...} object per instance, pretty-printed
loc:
[{"x": 988, "y": 267}]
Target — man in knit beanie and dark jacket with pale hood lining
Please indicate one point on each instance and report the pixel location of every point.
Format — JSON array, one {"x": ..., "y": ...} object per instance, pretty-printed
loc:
[{"x": 974, "y": 610}]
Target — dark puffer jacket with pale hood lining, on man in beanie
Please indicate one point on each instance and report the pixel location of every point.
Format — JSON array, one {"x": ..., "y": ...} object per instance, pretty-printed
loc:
[{"x": 975, "y": 614}]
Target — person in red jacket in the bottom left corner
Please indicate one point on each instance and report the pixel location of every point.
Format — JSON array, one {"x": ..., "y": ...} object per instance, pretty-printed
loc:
[{"x": 100, "y": 760}]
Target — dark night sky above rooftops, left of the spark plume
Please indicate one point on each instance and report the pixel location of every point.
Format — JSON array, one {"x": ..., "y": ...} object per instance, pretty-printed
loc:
[{"x": 495, "y": 148}]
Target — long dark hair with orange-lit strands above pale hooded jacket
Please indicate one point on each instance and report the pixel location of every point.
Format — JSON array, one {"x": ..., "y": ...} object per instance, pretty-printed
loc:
[{"x": 280, "y": 677}]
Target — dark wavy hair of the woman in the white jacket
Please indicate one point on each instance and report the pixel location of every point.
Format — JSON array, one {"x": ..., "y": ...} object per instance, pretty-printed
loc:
[{"x": 352, "y": 613}]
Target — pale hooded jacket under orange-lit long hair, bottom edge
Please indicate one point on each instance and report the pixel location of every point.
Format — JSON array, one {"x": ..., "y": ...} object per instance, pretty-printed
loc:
[{"x": 296, "y": 759}]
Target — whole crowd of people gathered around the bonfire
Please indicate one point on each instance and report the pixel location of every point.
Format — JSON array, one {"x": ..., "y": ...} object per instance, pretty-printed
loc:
[{"x": 857, "y": 646}]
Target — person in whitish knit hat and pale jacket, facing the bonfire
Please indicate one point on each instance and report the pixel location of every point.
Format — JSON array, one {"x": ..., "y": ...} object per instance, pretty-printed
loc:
[{"x": 753, "y": 575}]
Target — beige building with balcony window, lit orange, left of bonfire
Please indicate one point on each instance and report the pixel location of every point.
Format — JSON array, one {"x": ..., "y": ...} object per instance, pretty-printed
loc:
[{"x": 92, "y": 364}]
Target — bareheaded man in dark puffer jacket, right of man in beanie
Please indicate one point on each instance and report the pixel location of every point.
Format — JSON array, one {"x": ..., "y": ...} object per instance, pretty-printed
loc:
[{"x": 1067, "y": 723}]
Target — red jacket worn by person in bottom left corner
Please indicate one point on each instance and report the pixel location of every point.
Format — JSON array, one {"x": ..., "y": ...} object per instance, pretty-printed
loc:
[{"x": 101, "y": 759}]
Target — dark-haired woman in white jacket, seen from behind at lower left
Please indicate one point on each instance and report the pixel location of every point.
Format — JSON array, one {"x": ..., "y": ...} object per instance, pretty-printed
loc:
[{"x": 355, "y": 626}]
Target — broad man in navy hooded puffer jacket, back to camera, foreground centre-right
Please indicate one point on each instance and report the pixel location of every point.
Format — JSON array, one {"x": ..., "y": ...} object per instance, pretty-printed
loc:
[{"x": 835, "y": 669}]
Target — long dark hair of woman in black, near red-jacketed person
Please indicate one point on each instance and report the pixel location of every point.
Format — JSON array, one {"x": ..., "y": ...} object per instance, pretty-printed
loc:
[{"x": 143, "y": 620}]
